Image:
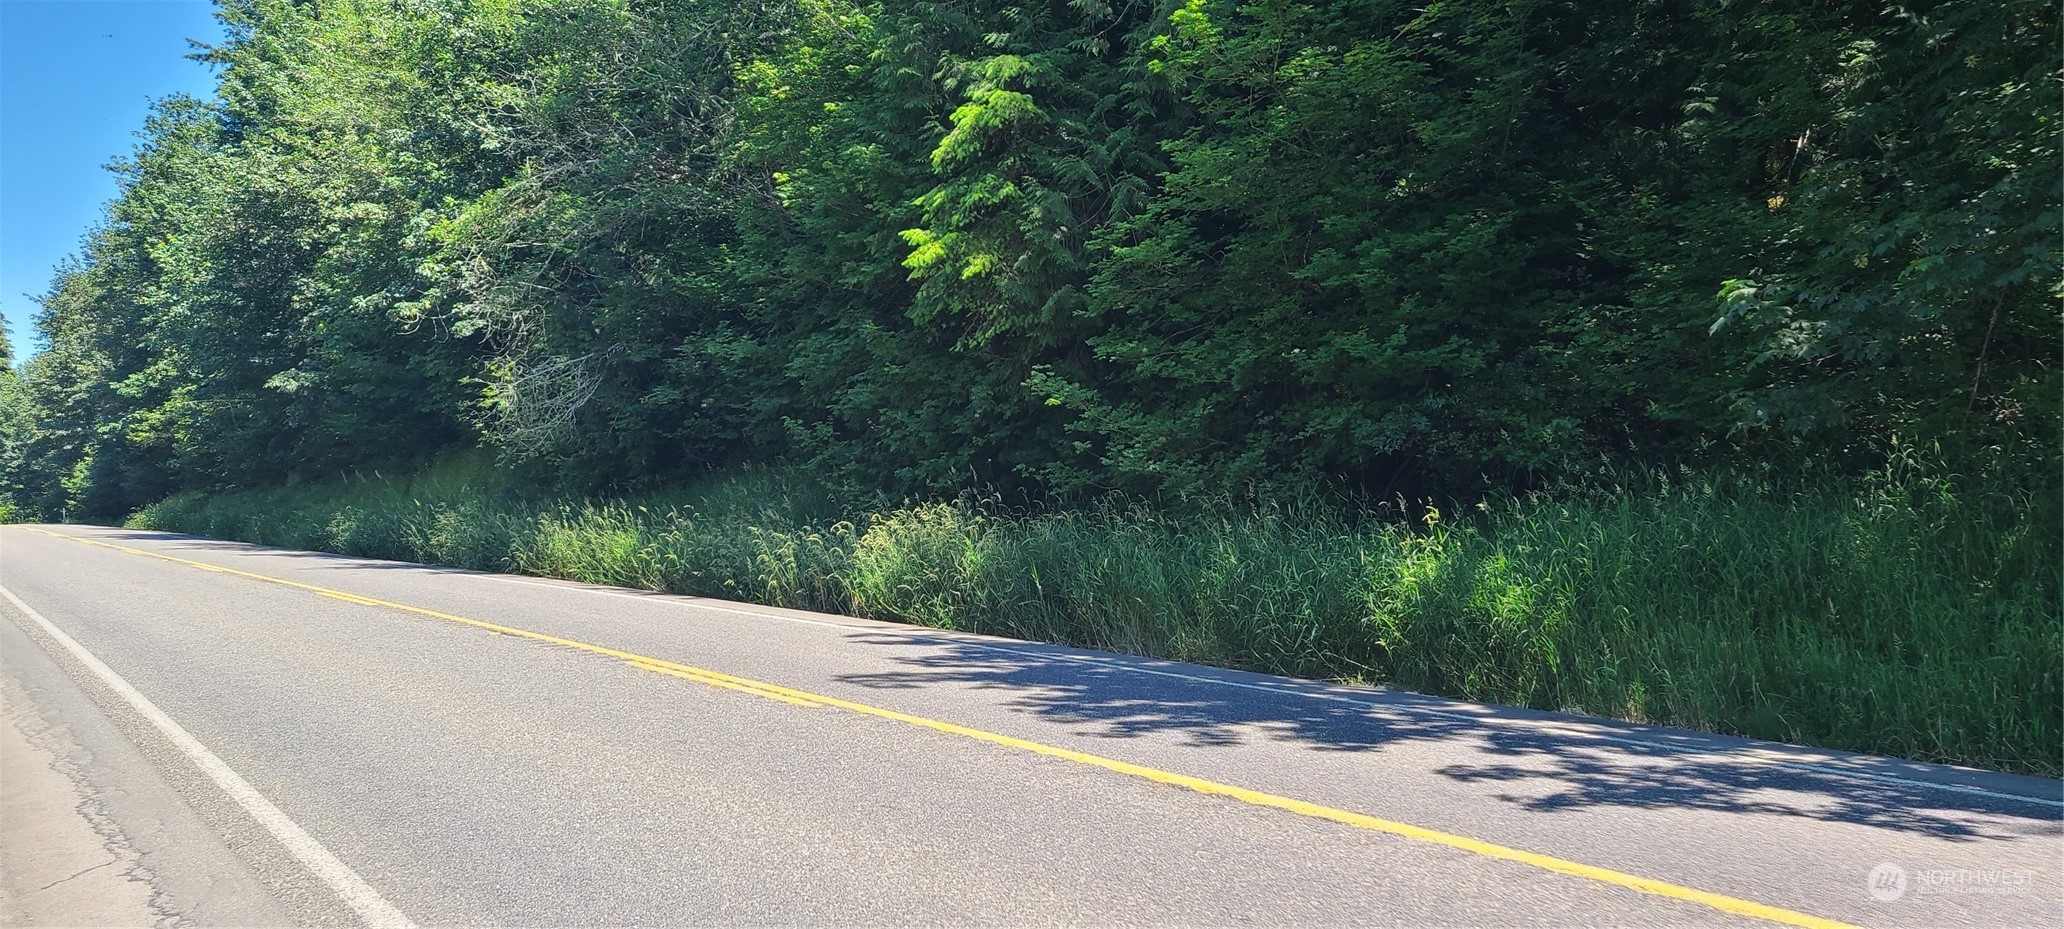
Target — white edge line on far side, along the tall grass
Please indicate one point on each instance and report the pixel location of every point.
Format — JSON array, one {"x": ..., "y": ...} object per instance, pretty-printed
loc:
[{"x": 1753, "y": 757}]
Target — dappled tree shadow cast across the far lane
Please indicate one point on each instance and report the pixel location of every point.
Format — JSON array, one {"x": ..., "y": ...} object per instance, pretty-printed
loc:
[{"x": 1547, "y": 763}]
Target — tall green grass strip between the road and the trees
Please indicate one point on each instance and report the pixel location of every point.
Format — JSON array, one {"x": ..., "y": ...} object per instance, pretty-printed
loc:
[{"x": 1910, "y": 618}]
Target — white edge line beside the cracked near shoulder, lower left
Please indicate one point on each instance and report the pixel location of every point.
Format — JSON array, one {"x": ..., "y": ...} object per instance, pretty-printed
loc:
[{"x": 375, "y": 909}]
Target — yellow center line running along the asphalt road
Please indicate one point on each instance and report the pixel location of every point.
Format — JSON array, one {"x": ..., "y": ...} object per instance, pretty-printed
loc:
[{"x": 1163, "y": 777}]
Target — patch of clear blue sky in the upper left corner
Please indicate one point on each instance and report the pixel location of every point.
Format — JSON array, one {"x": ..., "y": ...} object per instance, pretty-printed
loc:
[{"x": 77, "y": 79}]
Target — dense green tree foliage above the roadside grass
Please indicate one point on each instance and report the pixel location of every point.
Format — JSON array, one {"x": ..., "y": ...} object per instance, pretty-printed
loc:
[{"x": 1068, "y": 247}]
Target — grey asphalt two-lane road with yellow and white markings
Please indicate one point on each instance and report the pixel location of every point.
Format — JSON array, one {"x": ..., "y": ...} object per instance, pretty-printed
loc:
[{"x": 327, "y": 740}]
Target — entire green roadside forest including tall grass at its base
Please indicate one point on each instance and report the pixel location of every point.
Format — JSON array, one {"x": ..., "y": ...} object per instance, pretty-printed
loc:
[{"x": 1588, "y": 296}]
